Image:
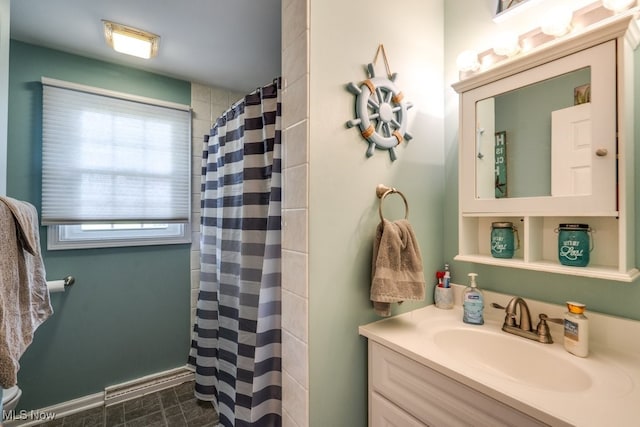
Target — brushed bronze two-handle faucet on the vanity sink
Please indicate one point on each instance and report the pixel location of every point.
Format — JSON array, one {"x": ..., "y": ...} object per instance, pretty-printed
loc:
[{"x": 523, "y": 327}]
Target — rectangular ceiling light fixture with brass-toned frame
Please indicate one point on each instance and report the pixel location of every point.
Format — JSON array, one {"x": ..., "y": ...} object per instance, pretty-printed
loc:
[{"x": 131, "y": 41}]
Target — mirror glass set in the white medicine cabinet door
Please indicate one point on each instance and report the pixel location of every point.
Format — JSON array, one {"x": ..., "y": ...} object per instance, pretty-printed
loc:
[{"x": 523, "y": 139}]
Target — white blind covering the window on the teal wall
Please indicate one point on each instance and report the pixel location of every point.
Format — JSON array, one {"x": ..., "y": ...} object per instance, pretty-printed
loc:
[{"x": 110, "y": 157}]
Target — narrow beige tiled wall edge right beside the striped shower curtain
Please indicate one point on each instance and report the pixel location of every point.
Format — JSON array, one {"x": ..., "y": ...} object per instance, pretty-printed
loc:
[{"x": 295, "y": 214}]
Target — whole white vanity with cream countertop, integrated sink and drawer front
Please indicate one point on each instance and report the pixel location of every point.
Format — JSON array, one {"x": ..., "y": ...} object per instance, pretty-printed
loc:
[{"x": 429, "y": 368}]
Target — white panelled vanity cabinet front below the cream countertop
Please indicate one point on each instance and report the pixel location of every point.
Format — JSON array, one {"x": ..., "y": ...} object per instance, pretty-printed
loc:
[{"x": 404, "y": 393}]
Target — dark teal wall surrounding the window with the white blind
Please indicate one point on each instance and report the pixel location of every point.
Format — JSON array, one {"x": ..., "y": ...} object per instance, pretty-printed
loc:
[{"x": 128, "y": 313}]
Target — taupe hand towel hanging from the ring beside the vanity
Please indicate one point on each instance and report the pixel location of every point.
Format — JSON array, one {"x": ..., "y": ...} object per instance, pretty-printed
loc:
[{"x": 397, "y": 272}]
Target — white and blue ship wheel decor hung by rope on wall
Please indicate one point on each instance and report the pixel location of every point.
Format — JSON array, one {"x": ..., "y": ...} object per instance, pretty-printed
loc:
[{"x": 381, "y": 111}]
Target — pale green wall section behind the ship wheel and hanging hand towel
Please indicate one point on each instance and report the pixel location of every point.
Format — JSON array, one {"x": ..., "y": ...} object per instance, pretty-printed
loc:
[{"x": 343, "y": 208}]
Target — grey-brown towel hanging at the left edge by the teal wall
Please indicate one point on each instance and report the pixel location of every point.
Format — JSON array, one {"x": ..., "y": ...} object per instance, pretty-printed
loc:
[{"x": 24, "y": 298}]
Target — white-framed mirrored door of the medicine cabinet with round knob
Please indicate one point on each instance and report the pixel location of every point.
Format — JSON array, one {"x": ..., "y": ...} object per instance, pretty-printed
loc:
[{"x": 548, "y": 160}]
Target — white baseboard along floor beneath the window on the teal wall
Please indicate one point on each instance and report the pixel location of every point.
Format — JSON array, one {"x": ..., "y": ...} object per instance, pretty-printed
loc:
[{"x": 111, "y": 396}]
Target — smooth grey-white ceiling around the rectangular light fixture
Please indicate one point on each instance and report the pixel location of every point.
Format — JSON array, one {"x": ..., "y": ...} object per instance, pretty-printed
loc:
[{"x": 234, "y": 44}]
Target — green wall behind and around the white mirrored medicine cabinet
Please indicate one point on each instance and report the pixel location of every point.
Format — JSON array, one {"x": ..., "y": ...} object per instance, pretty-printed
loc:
[{"x": 469, "y": 25}]
